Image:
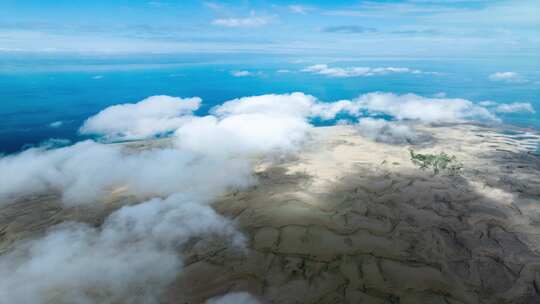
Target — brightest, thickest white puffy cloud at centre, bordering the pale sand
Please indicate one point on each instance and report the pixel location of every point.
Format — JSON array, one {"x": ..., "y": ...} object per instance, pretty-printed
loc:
[{"x": 252, "y": 124}]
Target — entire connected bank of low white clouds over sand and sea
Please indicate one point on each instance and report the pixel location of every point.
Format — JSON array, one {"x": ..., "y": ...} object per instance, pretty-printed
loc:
[{"x": 136, "y": 252}]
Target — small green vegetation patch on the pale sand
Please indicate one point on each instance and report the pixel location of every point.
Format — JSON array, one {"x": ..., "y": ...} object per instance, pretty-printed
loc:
[{"x": 437, "y": 162}]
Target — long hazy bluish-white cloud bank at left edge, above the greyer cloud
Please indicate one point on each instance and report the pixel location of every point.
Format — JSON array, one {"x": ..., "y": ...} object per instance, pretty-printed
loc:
[{"x": 89, "y": 171}]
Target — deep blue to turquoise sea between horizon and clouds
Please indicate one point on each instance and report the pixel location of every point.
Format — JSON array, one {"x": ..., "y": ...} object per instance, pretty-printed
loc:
[{"x": 36, "y": 92}]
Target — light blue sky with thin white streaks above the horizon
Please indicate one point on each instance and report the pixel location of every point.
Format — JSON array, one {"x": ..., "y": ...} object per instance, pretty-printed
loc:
[{"x": 420, "y": 28}]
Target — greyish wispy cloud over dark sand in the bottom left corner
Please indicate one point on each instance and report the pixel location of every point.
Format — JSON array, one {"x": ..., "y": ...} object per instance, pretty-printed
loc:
[{"x": 131, "y": 258}]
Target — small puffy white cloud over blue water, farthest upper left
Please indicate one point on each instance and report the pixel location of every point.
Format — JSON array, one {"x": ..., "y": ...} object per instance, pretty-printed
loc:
[{"x": 152, "y": 116}]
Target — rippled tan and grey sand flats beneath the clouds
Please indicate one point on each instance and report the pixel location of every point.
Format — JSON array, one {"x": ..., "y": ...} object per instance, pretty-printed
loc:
[{"x": 349, "y": 220}]
